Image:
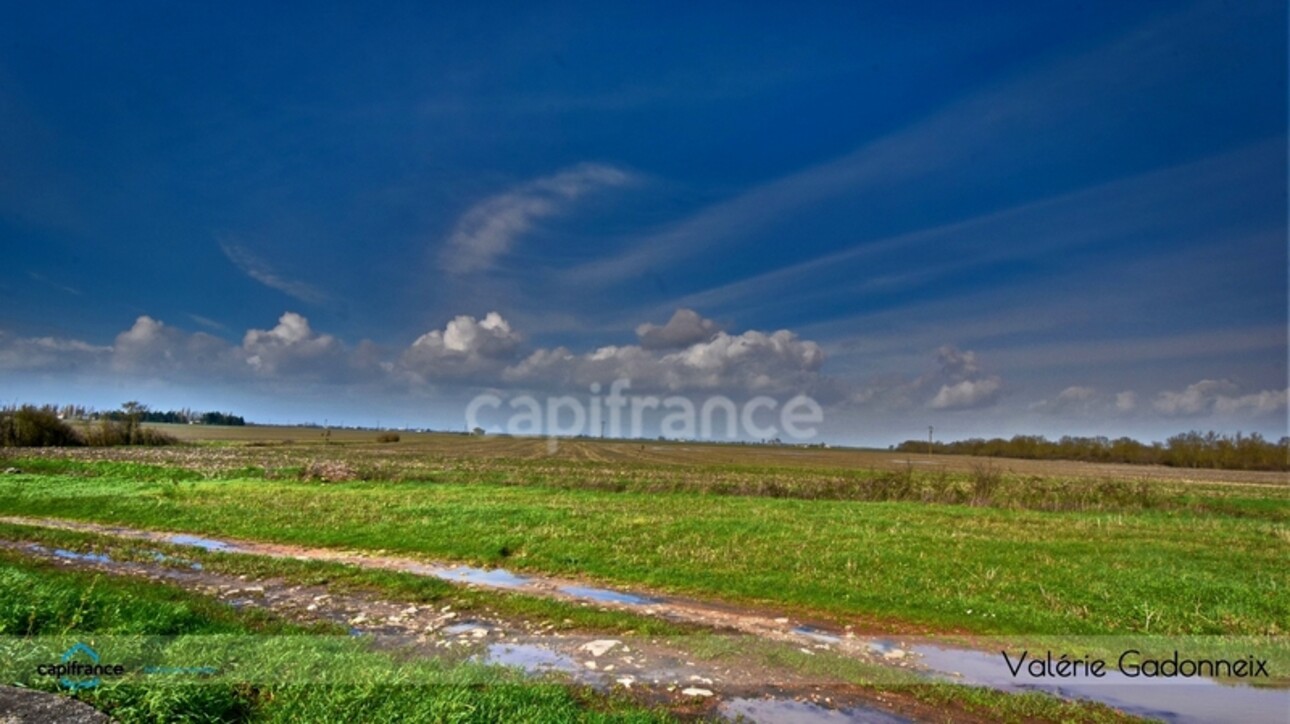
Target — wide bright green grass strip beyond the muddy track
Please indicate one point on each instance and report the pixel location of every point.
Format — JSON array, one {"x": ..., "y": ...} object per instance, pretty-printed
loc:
[{"x": 1173, "y": 558}]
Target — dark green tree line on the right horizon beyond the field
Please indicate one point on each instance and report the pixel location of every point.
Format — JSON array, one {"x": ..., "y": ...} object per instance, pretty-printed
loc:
[{"x": 1187, "y": 450}]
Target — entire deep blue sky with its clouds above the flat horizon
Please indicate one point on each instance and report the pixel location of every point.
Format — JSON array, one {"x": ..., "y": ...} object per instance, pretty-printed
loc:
[{"x": 1055, "y": 219}]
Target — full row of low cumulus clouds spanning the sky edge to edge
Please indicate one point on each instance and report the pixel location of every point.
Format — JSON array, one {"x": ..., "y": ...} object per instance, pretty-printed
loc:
[{"x": 688, "y": 353}]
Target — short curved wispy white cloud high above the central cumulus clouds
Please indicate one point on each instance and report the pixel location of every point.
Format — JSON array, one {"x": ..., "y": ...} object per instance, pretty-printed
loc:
[{"x": 490, "y": 229}]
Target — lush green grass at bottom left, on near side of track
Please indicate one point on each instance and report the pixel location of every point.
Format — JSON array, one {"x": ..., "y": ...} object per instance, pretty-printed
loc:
[{"x": 333, "y": 677}]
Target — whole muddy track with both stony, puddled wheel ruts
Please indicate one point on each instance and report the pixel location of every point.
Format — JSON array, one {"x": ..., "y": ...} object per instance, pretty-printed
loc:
[{"x": 657, "y": 670}]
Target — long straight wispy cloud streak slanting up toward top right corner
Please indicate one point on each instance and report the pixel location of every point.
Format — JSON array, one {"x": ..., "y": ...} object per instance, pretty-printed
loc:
[{"x": 945, "y": 145}]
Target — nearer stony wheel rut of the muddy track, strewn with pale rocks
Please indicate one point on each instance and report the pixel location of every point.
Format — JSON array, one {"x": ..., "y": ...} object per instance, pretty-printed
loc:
[{"x": 652, "y": 670}]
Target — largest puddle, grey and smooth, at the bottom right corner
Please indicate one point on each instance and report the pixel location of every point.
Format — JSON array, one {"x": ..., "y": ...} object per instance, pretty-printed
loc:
[{"x": 1182, "y": 701}]
